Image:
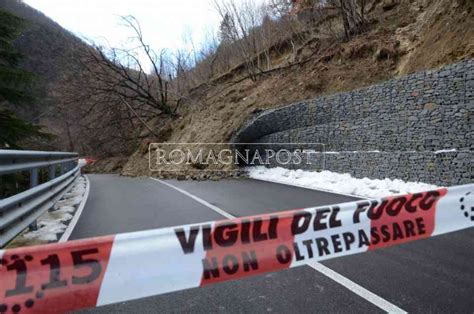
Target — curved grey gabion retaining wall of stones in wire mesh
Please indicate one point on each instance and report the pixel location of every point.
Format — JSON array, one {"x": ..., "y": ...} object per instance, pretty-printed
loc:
[{"x": 397, "y": 129}]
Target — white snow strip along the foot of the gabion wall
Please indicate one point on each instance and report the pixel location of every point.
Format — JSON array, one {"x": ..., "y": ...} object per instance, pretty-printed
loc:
[{"x": 337, "y": 182}]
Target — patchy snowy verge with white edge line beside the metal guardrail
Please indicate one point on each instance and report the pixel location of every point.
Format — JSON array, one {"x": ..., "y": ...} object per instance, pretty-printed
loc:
[{"x": 58, "y": 224}]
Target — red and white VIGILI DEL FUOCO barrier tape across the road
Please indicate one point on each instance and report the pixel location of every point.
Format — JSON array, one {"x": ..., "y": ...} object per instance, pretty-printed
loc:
[{"x": 73, "y": 275}]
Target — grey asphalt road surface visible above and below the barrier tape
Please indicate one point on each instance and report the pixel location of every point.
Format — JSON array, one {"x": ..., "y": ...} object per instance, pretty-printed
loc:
[{"x": 433, "y": 275}]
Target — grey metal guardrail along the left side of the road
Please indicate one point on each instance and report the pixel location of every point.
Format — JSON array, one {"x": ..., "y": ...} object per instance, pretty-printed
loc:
[{"x": 23, "y": 209}]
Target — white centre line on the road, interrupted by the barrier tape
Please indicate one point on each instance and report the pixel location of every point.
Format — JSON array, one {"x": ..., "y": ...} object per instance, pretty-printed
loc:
[{"x": 340, "y": 279}]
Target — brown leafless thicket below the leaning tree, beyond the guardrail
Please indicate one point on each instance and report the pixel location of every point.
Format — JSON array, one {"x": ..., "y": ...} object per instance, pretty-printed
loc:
[{"x": 100, "y": 123}]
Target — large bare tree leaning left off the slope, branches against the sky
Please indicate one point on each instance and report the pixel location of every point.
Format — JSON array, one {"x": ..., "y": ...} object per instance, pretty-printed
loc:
[{"x": 123, "y": 73}]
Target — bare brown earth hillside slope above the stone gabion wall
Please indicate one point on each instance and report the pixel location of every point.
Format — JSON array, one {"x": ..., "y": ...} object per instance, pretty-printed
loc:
[{"x": 408, "y": 37}]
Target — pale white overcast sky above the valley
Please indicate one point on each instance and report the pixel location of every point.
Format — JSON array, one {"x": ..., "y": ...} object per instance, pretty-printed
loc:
[{"x": 163, "y": 21}]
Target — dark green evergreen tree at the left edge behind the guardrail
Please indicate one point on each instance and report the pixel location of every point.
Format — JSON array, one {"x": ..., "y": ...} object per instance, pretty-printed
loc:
[{"x": 15, "y": 86}]
